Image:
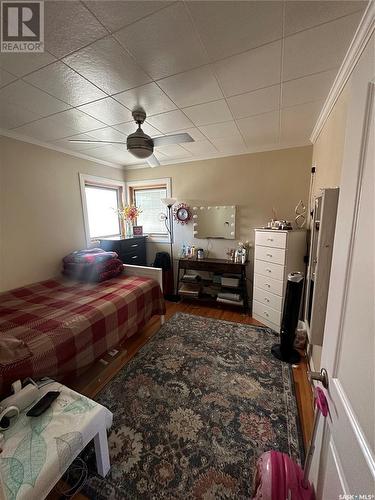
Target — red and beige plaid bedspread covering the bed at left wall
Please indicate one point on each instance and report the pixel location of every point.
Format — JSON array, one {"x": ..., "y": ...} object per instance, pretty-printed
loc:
[{"x": 57, "y": 327}]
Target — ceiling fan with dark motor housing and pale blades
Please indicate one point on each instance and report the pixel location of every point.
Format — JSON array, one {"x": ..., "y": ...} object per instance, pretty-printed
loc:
[{"x": 142, "y": 145}]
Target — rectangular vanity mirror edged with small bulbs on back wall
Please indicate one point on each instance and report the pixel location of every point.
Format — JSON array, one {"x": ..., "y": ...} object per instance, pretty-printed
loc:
[{"x": 214, "y": 222}]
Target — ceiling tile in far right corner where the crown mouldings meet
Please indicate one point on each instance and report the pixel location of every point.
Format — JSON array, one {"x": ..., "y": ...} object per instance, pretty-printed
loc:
[{"x": 298, "y": 122}]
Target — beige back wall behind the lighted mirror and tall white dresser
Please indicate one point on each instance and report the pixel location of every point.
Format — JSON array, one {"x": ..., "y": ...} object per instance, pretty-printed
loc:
[{"x": 253, "y": 182}]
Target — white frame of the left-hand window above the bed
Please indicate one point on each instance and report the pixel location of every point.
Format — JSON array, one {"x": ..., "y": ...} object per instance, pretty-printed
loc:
[{"x": 101, "y": 182}]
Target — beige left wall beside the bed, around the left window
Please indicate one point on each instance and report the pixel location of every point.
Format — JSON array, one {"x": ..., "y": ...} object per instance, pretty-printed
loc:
[{"x": 41, "y": 217}]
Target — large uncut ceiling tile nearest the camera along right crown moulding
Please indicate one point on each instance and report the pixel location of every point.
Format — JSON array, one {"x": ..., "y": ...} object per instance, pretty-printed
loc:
[{"x": 318, "y": 49}]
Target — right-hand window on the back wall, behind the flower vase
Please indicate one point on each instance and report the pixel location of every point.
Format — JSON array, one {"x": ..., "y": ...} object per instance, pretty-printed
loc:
[{"x": 147, "y": 195}]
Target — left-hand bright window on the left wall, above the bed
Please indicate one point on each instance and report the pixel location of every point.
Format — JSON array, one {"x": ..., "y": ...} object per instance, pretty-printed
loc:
[{"x": 101, "y": 198}]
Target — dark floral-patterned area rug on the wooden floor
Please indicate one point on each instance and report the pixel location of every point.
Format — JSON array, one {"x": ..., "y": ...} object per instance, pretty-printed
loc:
[{"x": 193, "y": 410}]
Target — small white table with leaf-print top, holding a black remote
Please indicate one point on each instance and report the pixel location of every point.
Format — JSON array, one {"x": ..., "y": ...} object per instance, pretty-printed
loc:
[{"x": 38, "y": 450}]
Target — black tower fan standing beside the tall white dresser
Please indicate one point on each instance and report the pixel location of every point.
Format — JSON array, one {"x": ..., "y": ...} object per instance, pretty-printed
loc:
[{"x": 285, "y": 350}]
